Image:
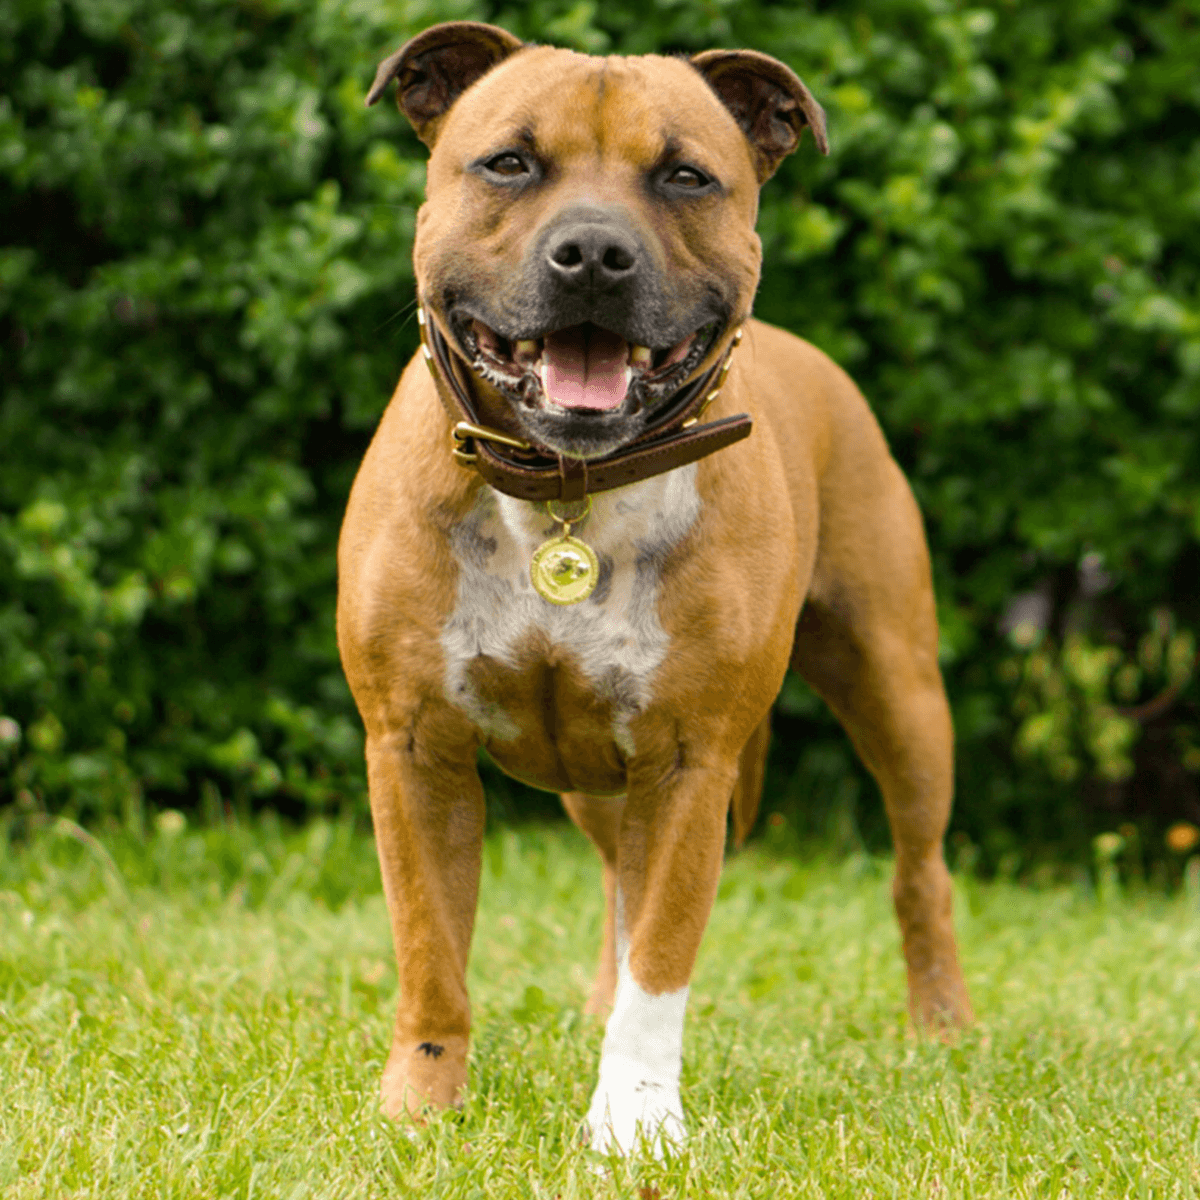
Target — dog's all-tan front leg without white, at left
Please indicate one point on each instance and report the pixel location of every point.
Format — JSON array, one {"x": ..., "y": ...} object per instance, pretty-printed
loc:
[{"x": 429, "y": 821}]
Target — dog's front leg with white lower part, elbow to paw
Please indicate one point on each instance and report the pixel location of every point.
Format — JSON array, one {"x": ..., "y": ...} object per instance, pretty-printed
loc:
[{"x": 673, "y": 839}]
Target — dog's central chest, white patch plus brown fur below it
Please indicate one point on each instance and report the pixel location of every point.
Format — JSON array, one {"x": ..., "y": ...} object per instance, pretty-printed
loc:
[{"x": 554, "y": 688}]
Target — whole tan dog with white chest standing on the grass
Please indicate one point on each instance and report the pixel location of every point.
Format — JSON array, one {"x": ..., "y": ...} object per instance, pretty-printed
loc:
[{"x": 586, "y": 256}]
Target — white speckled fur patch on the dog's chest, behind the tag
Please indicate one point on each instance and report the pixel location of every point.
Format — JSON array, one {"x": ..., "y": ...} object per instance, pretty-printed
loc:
[{"x": 615, "y": 637}]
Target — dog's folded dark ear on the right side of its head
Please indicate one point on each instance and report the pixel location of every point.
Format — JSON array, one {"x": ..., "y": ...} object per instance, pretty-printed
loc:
[{"x": 767, "y": 100}]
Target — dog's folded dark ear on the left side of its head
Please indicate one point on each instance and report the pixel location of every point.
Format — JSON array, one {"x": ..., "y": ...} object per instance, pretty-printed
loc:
[{"x": 436, "y": 68}]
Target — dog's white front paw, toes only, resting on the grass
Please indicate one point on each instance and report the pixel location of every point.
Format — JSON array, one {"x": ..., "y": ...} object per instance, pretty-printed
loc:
[{"x": 631, "y": 1106}]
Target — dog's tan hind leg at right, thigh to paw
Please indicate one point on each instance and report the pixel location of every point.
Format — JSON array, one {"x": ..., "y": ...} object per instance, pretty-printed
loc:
[{"x": 867, "y": 641}]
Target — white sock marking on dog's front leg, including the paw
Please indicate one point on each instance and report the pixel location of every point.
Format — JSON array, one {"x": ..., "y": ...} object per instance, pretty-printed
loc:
[{"x": 637, "y": 1100}]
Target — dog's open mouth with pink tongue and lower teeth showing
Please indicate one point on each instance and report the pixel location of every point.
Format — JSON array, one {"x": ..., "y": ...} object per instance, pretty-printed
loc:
[{"x": 584, "y": 369}]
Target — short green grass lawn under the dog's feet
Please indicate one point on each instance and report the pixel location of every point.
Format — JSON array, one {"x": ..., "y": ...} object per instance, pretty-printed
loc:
[{"x": 207, "y": 1015}]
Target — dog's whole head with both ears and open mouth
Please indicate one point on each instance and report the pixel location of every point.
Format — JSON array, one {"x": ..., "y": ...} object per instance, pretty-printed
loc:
[{"x": 589, "y": 238}]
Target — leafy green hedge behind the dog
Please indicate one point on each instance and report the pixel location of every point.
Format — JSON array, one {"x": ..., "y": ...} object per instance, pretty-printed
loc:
[{"x": 206, "y": 298}]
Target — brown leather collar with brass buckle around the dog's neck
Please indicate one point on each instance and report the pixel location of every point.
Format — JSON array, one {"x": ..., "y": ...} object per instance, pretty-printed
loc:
[{"x": 535, "y": 473}]
